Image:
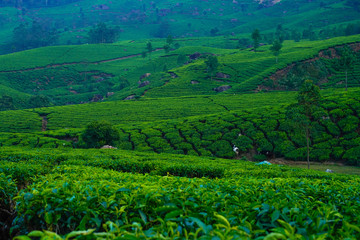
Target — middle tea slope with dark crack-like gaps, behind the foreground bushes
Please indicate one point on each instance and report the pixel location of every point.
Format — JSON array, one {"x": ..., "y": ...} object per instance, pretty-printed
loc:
[{"x": 201, "y": 126}]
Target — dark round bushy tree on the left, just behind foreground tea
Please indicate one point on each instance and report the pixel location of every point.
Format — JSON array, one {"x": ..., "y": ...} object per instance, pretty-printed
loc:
[{"x": 100, "y": 133}]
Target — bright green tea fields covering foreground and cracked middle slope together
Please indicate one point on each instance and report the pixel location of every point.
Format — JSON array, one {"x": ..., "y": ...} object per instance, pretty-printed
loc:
[{"x": 51, "y": 190}]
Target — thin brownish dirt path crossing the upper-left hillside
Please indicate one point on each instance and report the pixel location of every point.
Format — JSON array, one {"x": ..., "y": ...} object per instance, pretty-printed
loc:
[{"x": 76, "y": 63}]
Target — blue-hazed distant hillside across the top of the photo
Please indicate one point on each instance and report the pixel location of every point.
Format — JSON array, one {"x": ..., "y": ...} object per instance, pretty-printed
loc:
[{"x": 70, "y": 21}]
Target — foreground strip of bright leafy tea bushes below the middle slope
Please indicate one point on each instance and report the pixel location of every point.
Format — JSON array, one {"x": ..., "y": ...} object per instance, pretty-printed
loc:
[{"x": 66, "y": 191}]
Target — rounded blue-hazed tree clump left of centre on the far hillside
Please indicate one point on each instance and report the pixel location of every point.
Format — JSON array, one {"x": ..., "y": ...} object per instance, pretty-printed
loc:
[{"x": 101, "y": 33}]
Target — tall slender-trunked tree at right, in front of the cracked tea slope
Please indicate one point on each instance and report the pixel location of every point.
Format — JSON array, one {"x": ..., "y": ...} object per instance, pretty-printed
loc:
[{"x": 305, "y": 111}]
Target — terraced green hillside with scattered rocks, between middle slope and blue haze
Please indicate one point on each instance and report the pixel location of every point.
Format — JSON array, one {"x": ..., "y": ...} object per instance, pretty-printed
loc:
[{"x": 87, "y": 73}]
